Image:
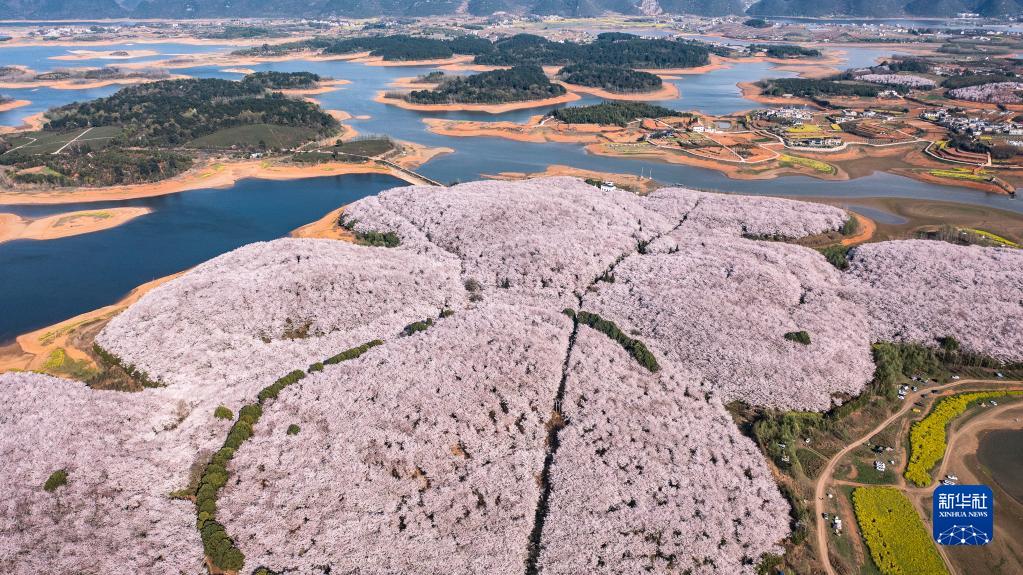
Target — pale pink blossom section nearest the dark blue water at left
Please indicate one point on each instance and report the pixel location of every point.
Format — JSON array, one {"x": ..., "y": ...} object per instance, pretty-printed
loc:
[{"x": 232, "y": 325}]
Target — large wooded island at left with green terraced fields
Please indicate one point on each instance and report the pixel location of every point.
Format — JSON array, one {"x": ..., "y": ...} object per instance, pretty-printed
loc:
[{"x": 151, "y": 132}]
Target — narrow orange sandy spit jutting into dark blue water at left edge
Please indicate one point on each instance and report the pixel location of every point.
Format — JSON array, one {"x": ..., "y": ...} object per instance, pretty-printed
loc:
[{"x": 67, "y": 225}]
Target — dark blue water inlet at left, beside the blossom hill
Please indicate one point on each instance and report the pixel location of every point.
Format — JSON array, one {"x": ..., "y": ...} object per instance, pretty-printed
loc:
[{"x": 43, "y": 283}]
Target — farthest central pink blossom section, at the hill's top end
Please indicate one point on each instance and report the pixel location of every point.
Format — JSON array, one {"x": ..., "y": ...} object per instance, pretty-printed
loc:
[{"x": 554, "y": 233}]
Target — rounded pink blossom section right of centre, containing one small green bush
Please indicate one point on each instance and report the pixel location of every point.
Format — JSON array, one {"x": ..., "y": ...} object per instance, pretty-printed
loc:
[{"x": 720, "y": 308}]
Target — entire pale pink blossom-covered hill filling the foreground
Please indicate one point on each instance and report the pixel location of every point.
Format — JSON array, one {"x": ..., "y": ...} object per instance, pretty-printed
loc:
[{"x": 533, "y": 380}]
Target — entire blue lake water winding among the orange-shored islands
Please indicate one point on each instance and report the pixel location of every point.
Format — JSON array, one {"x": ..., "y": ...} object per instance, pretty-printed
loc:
[{"x": 42, "y": 283}]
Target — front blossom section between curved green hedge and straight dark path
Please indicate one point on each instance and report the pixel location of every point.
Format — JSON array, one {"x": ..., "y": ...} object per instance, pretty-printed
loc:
[{"x": 418, "y": 458}]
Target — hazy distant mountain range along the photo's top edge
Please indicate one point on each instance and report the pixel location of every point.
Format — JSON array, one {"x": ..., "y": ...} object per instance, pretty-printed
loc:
[{"x": 83, "y": 10}]
